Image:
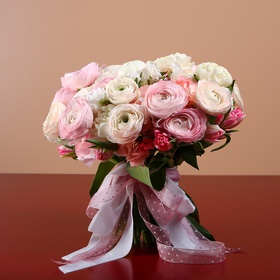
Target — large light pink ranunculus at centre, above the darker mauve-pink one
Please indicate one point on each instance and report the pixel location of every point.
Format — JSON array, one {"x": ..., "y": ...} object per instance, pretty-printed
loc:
[{"x": 164, "y": 98}]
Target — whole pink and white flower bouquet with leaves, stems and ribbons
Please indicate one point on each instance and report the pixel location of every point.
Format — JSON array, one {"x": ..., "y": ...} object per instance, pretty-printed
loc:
[{"x": 141, "y": 121}]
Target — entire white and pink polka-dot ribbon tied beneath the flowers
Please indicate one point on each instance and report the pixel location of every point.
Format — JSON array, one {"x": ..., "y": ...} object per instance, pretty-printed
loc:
[{"x": 112, "y": 223}]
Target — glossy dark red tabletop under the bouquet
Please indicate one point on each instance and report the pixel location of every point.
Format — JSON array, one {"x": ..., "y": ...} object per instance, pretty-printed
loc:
[{"x": 43, "y": 218}]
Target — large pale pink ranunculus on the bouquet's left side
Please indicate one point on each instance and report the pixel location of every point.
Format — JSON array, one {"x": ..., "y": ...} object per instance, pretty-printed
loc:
[{"x": 76, "y": 120}]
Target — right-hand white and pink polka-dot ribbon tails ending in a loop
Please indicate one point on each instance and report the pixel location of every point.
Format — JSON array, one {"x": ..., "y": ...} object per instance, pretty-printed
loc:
[{"x": 177, "y": 240}]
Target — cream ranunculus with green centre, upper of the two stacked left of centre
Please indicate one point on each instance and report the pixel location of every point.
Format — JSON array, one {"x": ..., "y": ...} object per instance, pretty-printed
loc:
[{"x": 122, "y": 90}]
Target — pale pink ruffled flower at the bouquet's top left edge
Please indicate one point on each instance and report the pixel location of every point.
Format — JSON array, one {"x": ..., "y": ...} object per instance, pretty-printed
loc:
[{"x": 81, "y": 78}]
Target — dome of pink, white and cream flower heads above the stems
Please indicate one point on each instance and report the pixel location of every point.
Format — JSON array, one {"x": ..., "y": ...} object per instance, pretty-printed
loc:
[{"x": 142, "y": 108}]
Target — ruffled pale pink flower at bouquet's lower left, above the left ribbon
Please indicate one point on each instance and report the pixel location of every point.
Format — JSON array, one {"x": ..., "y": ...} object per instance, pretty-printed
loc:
[{"x": 83, "y": 151}]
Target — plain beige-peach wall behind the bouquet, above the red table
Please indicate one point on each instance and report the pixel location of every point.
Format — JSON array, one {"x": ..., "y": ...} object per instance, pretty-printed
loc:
[{"x": 43, "y": 39}]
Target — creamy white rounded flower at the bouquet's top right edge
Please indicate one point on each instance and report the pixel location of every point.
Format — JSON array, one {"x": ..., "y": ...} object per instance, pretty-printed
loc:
[{"x": 213, "y": 72}]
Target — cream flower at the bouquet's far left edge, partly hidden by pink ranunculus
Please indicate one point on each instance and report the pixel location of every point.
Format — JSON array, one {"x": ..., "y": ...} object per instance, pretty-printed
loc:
[{"x": 50, "y": 125}]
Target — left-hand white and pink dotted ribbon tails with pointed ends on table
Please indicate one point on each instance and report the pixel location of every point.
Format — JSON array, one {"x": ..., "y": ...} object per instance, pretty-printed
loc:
[{"x": 105, "y": 248}]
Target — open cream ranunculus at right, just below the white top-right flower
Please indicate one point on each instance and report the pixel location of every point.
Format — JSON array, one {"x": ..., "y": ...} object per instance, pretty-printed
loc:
[{"x": 212, "y": 98}]
